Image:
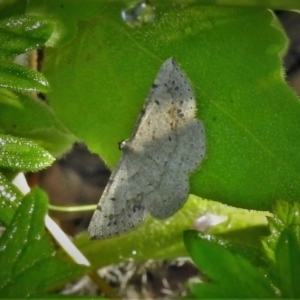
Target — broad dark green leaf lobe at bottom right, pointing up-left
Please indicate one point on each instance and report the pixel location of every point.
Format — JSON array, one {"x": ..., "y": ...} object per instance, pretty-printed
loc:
[{"x": 231, "y": 275}]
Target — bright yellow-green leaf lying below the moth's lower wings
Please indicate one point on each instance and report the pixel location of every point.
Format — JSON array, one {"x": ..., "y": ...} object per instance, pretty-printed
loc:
[{"x": 157, "y": 239}]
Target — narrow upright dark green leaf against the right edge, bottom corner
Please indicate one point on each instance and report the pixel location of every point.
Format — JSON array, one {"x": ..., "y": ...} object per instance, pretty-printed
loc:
[{"x": 287, "y": 262}]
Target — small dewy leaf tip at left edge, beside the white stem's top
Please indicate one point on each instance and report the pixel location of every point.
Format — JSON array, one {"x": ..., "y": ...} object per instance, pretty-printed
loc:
[{"x": 10, "y": 198}]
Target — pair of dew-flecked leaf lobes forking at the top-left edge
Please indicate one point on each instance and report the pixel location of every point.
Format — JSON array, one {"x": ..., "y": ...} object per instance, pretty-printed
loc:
[{"x": 18, "y": 35}]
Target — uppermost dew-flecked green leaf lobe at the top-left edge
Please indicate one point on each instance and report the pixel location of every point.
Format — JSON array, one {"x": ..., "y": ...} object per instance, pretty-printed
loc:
[{"x": 20, "y": 34}]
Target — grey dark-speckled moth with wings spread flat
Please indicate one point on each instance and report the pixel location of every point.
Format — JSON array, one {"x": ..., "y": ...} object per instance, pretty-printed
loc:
[{"x": 167, "y": 144}]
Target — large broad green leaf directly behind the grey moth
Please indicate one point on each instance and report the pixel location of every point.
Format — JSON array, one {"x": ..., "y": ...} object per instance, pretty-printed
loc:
[{"x": 232, "y": 57}]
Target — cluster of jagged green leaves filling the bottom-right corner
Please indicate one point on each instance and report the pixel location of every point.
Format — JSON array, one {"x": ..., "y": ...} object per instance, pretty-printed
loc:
[{"x": 224, "y": 263}]
